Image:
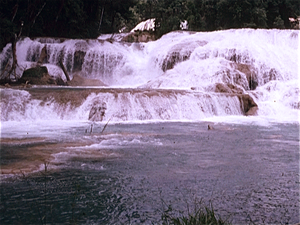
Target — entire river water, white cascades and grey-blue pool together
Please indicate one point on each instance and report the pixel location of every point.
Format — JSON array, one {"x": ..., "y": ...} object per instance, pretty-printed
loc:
[{"x": 124, "y": 153}]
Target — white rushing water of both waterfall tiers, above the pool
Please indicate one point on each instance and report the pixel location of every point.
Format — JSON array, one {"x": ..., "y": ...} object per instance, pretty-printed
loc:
[{"x": 173, "y": 78}]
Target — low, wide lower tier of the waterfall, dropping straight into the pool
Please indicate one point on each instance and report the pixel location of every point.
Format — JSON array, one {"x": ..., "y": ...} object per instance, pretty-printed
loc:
[{"x": 122, "y": 105}]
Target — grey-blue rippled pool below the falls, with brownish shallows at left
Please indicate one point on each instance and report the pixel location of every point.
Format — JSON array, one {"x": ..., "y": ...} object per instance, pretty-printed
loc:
[{"x": 123, "y": 176}]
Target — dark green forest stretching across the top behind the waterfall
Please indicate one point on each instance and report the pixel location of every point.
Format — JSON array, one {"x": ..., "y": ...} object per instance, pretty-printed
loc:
[{"x": 90, "y": 18}]
